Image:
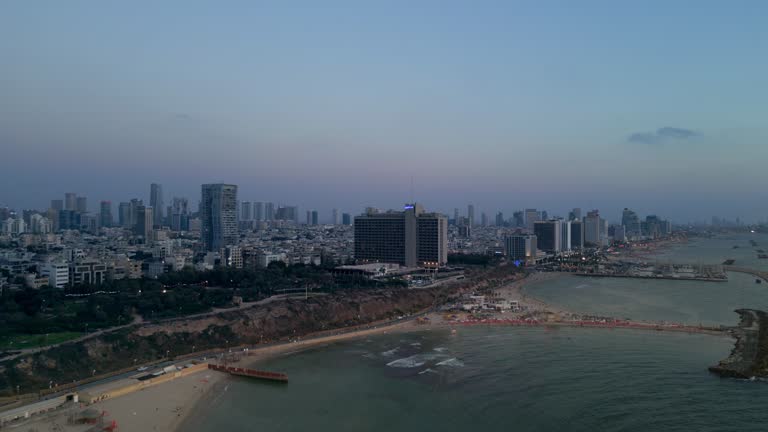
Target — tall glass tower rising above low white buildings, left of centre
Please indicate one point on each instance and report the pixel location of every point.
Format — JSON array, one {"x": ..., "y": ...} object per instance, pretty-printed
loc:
[{"x": 218, "y": 211}]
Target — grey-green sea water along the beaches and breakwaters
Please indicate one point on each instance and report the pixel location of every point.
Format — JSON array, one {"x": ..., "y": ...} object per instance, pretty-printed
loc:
[{"x": 528, "y": 379}]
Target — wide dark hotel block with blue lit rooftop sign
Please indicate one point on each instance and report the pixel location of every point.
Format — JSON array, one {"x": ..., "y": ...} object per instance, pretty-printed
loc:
[{"x": 410, "y": 237}]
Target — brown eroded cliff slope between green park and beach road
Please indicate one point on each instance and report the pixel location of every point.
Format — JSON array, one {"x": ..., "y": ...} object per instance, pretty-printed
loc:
[{"x": 276, "y": 321}]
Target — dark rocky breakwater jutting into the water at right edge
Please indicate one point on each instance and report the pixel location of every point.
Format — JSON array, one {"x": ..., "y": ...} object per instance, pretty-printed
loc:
[{"x": 749, "y": 357}]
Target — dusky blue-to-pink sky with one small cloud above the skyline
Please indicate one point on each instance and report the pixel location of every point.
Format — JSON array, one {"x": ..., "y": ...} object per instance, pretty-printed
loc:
[{"x": 659, "y": 106}]
